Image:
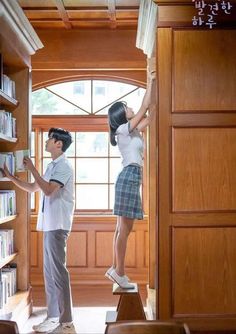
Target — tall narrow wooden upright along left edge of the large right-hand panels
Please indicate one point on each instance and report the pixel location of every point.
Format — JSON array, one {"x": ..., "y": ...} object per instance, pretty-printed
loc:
[{"x": 164, "y": 67}]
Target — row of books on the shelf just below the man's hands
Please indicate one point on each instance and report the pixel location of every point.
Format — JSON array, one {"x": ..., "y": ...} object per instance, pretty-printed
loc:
[{"x": 7, "y": 203}]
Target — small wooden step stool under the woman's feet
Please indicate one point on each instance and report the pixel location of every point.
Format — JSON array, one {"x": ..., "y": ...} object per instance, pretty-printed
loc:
[{"x": 129, "y": 307}]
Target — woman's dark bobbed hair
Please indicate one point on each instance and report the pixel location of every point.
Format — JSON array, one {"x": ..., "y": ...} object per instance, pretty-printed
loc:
[{"x": 116, "y": 117}]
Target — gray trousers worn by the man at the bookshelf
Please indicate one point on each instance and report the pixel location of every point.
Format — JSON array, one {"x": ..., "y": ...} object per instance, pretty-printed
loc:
[{"x": 56, "y": 275}]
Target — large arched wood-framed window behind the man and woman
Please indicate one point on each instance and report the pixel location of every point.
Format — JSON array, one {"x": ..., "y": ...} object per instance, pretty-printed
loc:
[{"x": 81, "y": 107}]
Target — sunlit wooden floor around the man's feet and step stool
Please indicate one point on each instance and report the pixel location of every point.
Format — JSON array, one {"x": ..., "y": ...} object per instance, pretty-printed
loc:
[{"x": 91, "y": 304}]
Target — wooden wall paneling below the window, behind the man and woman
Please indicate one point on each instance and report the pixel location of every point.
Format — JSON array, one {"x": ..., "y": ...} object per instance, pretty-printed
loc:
[{"x": 90, "y": 251}]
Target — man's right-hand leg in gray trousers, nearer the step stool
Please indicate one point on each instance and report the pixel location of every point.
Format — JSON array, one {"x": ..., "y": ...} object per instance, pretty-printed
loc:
[{"x": 60, "y": 274}]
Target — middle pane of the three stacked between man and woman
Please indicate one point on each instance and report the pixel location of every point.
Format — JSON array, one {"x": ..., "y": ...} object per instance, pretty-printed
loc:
[{"x": 92, "y": 170}]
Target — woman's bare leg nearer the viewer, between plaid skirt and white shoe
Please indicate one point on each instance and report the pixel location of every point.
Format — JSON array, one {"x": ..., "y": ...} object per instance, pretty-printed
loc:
[{"x": 125, "y": 227}]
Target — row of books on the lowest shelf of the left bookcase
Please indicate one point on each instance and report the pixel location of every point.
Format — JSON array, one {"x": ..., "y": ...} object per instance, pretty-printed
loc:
[{"x": 8, "y": 285}]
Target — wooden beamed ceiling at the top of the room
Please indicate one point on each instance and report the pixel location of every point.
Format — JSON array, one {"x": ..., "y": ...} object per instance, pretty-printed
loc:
[{"x": 82, "y": 14}]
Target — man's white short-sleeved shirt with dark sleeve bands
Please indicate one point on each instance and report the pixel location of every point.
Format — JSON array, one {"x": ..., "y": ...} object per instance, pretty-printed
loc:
[{"x": 56, "y": 211}]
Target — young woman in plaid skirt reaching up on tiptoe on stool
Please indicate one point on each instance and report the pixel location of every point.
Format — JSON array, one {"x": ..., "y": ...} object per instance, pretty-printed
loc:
[{"x": 125, "y": 127}]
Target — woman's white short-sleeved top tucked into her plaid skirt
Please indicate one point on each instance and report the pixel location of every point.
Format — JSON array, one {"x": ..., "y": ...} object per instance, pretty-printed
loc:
[{"x": 130, "y": 144}]
